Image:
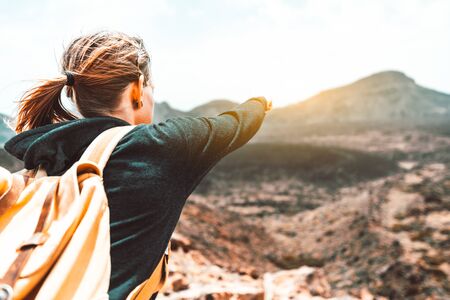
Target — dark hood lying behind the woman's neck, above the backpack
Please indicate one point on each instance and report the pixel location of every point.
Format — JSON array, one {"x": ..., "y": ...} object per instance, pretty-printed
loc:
[{"x": 57, "y": 146}]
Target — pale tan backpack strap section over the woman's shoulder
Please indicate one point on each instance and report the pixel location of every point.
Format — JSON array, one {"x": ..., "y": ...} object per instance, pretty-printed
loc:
[{"x": 103, "y": 145}]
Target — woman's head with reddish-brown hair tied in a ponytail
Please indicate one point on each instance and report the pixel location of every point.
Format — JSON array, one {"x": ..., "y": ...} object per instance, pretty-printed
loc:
[{"x": 108, "y": 68}]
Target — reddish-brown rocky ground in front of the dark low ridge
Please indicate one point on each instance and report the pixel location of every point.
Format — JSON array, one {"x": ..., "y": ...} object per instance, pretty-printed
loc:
[{"x": 382, "y": 238}]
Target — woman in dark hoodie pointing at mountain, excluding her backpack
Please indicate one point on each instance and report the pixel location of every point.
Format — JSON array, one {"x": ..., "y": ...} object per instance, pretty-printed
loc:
[{"x": 153, "y": 169}]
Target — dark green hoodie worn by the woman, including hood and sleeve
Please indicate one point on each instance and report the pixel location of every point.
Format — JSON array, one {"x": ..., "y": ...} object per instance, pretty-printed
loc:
[{"x": 149, "y": 176}]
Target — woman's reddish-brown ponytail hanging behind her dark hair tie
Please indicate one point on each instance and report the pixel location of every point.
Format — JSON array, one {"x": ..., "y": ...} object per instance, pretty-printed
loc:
[{"x": 41, "y": 105}]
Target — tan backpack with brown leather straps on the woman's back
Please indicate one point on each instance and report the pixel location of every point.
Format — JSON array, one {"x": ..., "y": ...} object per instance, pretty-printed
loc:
[{"x": 54, "y": 231}]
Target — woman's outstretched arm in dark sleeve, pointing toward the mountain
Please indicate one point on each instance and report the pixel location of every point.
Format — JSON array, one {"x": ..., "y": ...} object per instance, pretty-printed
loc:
[{"x": 193, "y": 145}]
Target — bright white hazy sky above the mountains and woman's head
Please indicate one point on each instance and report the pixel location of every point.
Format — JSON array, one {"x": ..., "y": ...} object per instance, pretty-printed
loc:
[{"x": 202, "y": 50}]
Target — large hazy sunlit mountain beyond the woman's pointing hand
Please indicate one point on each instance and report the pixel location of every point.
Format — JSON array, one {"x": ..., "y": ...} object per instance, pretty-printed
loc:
[{"x": 387, "y": 101}]
